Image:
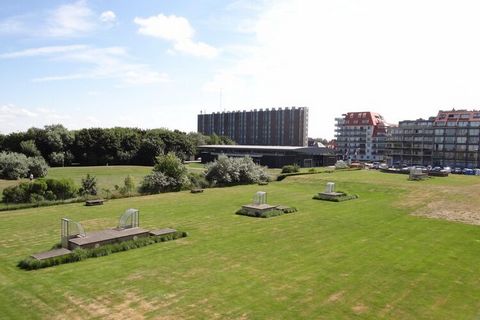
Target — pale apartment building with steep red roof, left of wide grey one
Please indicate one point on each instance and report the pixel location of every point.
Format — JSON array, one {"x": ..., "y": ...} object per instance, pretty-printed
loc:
[{"x": 360, "y": 136}]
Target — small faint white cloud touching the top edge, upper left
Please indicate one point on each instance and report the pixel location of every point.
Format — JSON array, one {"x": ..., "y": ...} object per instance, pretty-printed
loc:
[{"x": 71, "y": 19}]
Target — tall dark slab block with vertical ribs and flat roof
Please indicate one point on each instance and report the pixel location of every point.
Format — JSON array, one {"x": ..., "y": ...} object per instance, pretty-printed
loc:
[{"x": 269, "y": 127}]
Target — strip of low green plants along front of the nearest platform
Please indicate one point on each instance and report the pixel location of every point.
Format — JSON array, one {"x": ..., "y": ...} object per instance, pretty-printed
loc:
[{"x": 82, "y": 254}]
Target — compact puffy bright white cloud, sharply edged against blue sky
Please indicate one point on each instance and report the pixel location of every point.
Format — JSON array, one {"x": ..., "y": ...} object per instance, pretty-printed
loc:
[{"x": 176, "y": 30}]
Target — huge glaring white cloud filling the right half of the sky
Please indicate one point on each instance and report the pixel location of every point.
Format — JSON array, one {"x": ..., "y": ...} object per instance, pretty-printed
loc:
[{"x": 404, "y": 59}]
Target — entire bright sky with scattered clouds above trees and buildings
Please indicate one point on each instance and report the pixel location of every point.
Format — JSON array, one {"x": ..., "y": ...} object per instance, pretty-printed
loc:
[{"x": 153, "y": 64}]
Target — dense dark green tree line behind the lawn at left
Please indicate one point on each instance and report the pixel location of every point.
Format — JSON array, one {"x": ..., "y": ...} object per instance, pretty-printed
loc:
[{"x": 101, "y": 146}]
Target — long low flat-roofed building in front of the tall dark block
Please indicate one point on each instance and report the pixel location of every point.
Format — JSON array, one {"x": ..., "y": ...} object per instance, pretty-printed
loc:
[{"x": 272, "y": 156}]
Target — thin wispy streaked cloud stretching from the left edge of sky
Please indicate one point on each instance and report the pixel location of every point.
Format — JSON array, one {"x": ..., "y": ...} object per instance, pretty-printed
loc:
[{"x": 105, "y": 63}]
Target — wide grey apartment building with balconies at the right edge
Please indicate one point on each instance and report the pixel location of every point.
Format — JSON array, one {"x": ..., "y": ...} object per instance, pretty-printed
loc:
[{"x": 452, "y": 138}]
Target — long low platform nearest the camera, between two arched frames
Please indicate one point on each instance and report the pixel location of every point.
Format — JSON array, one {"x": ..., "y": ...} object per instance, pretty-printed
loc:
[{"x": 94, "y": 239}]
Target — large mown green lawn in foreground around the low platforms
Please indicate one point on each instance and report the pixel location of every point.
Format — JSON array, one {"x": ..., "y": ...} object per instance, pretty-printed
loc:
[{"x": 368, "y": 258}]
